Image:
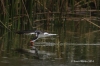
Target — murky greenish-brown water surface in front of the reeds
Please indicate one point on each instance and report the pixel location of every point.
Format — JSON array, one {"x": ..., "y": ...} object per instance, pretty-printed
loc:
[{"x": 62, "y": 50}]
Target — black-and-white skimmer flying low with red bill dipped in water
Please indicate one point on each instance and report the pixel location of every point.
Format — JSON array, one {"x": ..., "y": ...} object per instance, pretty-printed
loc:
[{"x": 38, "y": 34}]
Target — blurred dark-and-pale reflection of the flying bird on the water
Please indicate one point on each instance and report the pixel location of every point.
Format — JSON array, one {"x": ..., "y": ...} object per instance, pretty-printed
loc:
[{"x": 35, "y": 54}]
